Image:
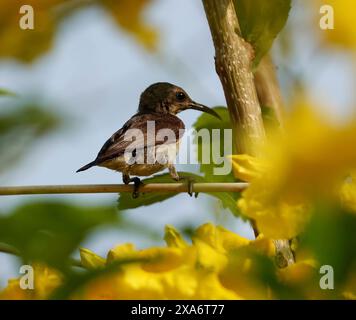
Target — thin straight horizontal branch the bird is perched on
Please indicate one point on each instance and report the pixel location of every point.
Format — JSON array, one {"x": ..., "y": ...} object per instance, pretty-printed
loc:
[{"x": 116, "y": 188}]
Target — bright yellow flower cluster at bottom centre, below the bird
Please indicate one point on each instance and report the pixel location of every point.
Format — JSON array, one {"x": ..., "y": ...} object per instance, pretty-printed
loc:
[{"x": 179, "y": 271}]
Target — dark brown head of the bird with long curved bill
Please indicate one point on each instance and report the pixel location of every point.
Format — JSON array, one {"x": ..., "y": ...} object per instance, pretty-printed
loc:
[{"x": 164, "y": 97}]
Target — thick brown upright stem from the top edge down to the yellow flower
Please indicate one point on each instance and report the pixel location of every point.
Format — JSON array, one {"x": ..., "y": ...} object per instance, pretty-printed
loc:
[{"x": 233, "y": 57}]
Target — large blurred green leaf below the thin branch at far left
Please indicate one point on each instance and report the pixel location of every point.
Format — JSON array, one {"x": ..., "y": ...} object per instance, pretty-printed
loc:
[{"x": 50, "y": 231}]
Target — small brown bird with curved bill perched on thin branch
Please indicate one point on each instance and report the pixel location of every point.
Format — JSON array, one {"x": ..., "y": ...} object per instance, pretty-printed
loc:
[{"x": 159, "y": 104}]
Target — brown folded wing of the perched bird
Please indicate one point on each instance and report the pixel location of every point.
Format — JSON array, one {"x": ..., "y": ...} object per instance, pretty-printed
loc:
[{"x": 122, "y": 141}]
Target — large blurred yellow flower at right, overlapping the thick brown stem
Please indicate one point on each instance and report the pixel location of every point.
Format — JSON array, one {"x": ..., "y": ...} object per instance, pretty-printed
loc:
[{"x": 307, "y": 162}]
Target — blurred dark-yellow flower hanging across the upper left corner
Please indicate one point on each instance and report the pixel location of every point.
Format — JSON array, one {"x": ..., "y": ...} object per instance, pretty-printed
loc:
[{"x": 26, "y": 45}]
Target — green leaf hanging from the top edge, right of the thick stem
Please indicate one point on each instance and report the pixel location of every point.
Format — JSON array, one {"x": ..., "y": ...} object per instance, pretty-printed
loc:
[{"x": 260, "y": 22}]
